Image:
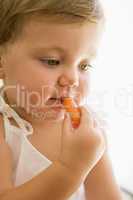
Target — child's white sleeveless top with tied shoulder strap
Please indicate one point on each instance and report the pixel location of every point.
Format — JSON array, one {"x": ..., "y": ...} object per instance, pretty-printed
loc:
[{"x": 27, "y": 160}]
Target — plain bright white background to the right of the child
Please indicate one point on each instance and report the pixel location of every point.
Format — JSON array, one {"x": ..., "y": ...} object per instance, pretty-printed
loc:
[{"x": 112, "y": 86}]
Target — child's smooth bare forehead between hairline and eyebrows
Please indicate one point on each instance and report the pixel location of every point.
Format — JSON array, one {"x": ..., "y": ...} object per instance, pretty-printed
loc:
[{"x": 43, "y": 33}]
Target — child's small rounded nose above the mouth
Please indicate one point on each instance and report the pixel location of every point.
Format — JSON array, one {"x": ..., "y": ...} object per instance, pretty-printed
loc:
[{"x": 69, "y": 77}]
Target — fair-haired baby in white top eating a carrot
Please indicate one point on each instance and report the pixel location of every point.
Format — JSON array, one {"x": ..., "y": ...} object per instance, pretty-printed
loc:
[{"x": 46, "y": 51}]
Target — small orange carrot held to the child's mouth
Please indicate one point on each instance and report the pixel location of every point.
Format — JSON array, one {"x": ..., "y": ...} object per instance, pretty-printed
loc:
[{"x": 73, "y": 110}]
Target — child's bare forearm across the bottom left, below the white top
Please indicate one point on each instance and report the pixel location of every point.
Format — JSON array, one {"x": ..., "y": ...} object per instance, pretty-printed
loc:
[{"x": 56, "y": 182}]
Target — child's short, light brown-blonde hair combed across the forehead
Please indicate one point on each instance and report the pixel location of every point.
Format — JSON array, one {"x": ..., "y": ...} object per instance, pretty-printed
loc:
[{"x": 13, "y": 13}]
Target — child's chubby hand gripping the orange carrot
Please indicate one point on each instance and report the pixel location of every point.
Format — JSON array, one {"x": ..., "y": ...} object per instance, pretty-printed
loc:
[{"x": 82, "y": 147}]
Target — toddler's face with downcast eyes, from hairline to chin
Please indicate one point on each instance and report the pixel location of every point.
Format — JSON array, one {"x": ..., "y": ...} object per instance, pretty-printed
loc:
[{"x": 49, "y": 60}]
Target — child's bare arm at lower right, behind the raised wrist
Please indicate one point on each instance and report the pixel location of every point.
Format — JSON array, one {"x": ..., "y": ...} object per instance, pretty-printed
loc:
[{"x": 100, "y": 183}]
